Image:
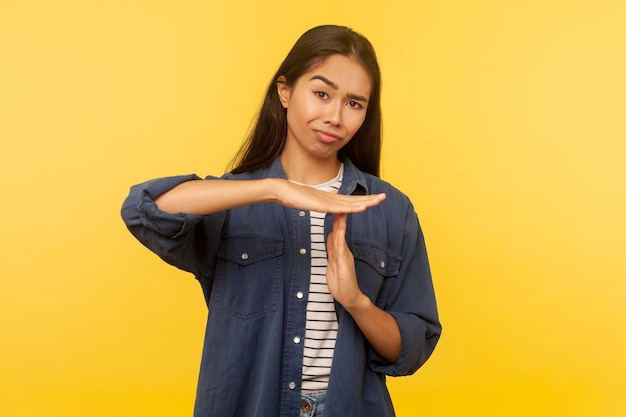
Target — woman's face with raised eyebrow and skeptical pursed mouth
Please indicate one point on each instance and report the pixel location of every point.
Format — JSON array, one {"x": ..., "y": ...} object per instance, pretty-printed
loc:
[{"x": 325, "y": 107}]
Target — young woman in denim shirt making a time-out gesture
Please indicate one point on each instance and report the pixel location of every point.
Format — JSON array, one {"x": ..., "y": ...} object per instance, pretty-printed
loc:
[{"x": 314, "y": 270}]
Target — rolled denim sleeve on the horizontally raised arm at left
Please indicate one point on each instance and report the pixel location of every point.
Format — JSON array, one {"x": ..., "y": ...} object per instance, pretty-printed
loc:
[{"x": 183, "y": 240}]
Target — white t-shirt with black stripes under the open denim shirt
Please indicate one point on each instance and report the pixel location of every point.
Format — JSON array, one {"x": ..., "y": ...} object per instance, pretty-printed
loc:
[{"x": 321, "y": 320}]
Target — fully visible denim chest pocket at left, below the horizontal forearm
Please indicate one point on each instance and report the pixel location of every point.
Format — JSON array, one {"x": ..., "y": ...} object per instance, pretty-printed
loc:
[{"x": 248, "y": 274}]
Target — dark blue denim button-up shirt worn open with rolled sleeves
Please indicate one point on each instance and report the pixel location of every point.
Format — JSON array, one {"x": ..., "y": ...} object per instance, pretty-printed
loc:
[{"x": 253, "y": 265}]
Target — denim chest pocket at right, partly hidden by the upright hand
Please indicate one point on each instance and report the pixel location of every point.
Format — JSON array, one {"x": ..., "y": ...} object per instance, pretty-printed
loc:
[{"x": 375, "y": 270}]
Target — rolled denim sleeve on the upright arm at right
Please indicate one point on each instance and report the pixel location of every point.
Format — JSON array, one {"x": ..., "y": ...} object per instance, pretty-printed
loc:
[{"x": 411, "y": 301}]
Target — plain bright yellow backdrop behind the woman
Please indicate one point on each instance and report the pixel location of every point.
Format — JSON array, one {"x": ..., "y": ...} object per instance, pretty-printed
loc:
[{"x": 504, "y": 122}]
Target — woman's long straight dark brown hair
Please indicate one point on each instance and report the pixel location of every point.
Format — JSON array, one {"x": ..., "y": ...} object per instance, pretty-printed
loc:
[{"x": 267, "y": 137}]
